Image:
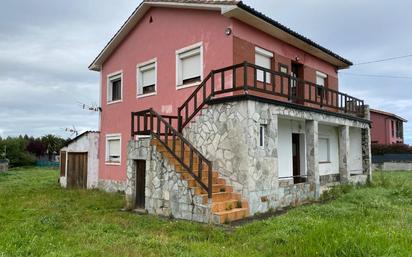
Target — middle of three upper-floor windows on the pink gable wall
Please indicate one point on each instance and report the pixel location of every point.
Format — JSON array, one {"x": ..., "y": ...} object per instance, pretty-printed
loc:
[{"x": 147, "y": 78}]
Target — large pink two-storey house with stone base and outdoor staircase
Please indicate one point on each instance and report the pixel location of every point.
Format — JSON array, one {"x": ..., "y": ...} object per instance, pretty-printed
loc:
[{"x": 212, "y": 112}]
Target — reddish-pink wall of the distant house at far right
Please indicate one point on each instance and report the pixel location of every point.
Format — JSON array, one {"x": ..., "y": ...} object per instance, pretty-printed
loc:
[{"x": 381, "y": 131}]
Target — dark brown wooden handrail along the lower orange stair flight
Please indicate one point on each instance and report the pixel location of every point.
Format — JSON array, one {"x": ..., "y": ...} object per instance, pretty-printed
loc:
[{"x": 158, "y": 126}]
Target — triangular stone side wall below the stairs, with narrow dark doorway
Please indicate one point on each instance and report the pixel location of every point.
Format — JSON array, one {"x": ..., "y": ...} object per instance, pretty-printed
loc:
[{"x": 166, "y": 194}]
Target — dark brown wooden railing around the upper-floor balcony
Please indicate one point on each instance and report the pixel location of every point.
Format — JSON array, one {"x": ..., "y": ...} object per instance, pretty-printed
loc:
[{"x": 247, "y": 78}]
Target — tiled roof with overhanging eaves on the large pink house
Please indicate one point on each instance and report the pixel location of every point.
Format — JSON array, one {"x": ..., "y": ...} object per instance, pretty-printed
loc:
[{"x": 231, "y": 9}]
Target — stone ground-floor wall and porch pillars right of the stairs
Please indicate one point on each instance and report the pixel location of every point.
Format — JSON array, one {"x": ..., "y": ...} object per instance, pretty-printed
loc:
[{"x": 228, "y": 135}]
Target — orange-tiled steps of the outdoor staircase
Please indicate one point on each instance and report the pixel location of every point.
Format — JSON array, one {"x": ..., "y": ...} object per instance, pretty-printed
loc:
[{"x": 226, "y": 205}]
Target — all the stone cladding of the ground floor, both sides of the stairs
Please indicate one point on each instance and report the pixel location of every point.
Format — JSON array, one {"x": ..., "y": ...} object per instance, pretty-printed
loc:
[{"x": 228, "y": 135}]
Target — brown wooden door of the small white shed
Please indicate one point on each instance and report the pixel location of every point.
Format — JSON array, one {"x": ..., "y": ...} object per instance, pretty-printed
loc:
[{"x": 77, "y": 170}]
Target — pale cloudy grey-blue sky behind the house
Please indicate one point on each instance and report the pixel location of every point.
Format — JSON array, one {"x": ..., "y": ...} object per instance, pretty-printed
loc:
[{"x": 46, "y": 47}]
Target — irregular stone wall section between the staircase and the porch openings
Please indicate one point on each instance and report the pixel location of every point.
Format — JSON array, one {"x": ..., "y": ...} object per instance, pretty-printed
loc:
[{"x": 226, "y": 135}]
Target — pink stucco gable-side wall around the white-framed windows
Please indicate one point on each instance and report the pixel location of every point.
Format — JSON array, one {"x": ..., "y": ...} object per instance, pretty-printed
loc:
[{"x": 171, "y": 30}]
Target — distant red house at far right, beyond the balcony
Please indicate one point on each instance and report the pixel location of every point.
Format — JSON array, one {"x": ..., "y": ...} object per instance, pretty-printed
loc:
[{"x": 387, "y": 128}]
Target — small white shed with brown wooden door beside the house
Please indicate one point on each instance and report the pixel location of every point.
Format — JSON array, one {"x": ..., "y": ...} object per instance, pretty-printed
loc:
[{"x": 79, "y": 162}]
